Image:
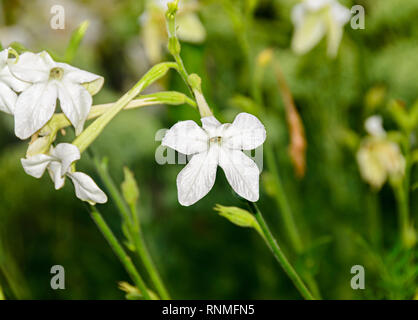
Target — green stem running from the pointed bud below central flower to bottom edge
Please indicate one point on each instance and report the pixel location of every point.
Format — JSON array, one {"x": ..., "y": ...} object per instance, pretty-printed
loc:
[{"x": 278, "y": 253}]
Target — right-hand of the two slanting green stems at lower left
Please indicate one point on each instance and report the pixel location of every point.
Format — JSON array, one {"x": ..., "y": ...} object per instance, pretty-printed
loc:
[{"x": 131, "y": 217}]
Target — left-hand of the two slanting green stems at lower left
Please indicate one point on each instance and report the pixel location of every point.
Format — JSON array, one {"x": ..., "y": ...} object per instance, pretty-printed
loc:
[{"x": 120, "y": 253}]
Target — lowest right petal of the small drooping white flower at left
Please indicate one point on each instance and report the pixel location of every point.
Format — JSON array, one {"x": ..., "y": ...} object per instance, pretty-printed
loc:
[{"x": 86, "y": 189}]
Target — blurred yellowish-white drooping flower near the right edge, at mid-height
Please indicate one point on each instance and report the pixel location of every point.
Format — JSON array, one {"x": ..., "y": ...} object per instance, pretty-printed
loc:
[{"x": 379, "y": 158}]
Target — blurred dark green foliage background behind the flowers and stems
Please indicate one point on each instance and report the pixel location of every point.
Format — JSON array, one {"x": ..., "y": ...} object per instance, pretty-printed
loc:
[{"x": 199, "y": 254}]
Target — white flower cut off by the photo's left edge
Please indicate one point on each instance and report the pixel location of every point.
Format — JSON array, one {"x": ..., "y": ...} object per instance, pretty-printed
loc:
[{"x": 9, "y": 85}]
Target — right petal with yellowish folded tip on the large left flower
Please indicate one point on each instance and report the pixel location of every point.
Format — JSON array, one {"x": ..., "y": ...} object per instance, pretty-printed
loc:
[{"x": 72, "y": 74}]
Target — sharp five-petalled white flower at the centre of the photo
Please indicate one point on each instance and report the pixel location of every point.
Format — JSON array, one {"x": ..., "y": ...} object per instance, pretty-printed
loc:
[{"x": 217, "y": 144}]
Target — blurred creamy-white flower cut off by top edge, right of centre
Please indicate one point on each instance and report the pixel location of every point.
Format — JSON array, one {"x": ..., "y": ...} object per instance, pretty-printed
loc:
[{"x": 313, "y": 19}]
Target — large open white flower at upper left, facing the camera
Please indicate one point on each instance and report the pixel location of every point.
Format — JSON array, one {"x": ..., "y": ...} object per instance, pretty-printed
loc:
[{"x": 50, "y": 81}]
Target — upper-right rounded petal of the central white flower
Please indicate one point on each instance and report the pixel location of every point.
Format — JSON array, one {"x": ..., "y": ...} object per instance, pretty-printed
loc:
[{"x": 245, "y": 133}]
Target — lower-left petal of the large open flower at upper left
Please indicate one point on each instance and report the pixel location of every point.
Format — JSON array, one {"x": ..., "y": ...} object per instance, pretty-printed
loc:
[{"x": 34, "y": 108}]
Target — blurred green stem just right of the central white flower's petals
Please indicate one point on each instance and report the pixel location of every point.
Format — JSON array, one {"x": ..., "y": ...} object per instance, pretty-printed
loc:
[{"x": 283, "y": 203}]
